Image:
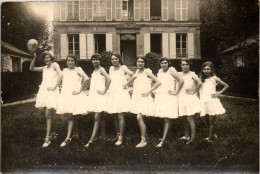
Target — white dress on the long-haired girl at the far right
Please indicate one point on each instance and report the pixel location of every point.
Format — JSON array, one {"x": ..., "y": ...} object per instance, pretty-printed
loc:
[{"x": 209, "y": 105}]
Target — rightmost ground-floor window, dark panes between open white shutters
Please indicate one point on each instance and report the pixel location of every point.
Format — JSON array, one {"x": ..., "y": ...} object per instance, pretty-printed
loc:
[{"x": 181, "y": 45}]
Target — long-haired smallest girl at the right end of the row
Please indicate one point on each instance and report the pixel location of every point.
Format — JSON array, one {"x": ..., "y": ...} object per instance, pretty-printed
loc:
[{"x": 210, "y": 103}]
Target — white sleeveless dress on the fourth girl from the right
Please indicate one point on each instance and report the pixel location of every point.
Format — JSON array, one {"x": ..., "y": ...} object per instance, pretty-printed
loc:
[{"x": 139, "y": 104}]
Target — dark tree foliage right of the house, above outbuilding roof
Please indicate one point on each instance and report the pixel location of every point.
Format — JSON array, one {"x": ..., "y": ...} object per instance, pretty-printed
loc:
[{"x": 225, "y": 23}]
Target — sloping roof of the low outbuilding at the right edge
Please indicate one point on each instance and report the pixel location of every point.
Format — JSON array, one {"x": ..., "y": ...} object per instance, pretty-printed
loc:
[{"x": 241, "y": 45}]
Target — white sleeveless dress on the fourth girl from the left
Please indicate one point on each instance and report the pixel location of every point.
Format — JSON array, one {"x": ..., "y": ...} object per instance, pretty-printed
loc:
[{"x": 118, "y": 98}]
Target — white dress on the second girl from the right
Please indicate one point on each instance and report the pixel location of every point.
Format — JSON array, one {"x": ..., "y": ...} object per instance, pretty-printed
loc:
[{"x": 188, "y": 104}]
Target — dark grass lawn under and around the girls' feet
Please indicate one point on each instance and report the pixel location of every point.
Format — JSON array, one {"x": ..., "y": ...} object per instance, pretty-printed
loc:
[{"x": 236, "y": 148}]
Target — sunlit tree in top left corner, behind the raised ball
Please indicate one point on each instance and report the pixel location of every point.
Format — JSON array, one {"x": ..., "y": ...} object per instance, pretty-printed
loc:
[{"x": 20, "y": 23}]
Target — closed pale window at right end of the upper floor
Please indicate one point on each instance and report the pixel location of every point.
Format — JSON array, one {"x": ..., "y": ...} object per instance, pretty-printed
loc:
[{"x": 181, "y": 10}]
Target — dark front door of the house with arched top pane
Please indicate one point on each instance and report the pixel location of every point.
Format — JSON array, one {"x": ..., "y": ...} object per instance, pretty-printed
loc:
[{"x": 128, "y": 49}]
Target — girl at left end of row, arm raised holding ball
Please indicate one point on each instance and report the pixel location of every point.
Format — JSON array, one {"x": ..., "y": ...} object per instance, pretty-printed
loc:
[{"x": 48, "y": 94}]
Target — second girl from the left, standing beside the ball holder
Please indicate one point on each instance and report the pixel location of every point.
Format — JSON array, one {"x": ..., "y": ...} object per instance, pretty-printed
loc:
[{"x": 72, "y": 100}]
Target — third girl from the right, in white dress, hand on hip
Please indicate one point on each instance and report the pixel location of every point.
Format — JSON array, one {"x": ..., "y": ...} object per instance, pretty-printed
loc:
[{"x": 166, "y": 102}]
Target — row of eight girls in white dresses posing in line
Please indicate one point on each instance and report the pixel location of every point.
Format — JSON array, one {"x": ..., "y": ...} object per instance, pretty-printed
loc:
[{"x": 175, "y": 95}]
